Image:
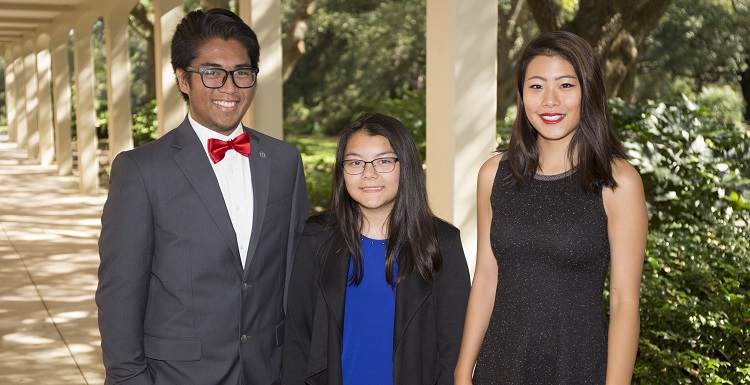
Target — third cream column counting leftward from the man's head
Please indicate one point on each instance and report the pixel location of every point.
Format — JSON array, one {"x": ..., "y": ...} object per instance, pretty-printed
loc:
[{"x": 88, "y": 167}]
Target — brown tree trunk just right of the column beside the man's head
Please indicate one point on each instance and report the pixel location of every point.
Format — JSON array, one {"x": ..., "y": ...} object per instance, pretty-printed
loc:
[{"x": 293, "y": 41}]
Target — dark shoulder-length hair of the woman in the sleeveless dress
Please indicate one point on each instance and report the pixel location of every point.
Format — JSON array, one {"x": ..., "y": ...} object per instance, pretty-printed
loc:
[{"x": 594, "y": 144}]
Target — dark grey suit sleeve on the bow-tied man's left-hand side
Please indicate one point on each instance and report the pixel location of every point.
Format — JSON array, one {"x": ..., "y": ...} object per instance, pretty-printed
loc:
[{"x": 126, "y": 247}]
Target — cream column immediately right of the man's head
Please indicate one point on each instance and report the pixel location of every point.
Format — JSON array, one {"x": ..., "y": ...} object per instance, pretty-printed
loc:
[{"x": 268, "y": 111}]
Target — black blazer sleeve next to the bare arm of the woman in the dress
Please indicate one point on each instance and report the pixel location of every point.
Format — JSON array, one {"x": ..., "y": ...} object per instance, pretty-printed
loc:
[{"x": 452, "y": 286}]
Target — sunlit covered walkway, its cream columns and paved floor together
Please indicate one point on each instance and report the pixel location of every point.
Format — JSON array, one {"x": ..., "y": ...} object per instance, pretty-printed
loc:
[{"x": 49, "y": 219}]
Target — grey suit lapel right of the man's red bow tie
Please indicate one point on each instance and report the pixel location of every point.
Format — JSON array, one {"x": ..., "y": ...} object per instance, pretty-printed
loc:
[{"x": 260, "y": 171}]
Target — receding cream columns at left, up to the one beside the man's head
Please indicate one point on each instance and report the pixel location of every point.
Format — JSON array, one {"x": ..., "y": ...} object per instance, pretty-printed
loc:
[{"x": 38, "y": 93}]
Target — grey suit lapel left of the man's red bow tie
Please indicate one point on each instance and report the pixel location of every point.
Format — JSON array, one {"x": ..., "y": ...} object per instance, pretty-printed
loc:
[{"x": 192, "y": 160}]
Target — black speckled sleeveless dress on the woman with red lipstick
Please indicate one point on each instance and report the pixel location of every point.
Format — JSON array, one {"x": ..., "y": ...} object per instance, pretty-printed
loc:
[{"x": 552, "y": 249}]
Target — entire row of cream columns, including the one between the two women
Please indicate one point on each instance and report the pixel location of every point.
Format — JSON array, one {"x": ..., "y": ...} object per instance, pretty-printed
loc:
[{"x": 461, "y": 90}]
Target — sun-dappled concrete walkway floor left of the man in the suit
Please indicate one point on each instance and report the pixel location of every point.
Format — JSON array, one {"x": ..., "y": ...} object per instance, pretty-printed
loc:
[{"x": 48, "y": 266}]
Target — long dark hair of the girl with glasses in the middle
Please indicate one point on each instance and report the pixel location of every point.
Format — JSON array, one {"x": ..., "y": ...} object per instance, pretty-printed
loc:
[{"x": 412, "y": 238}]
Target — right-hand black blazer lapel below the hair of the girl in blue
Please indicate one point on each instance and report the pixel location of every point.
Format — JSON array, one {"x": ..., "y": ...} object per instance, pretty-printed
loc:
[{"x": 410, "y": 296}]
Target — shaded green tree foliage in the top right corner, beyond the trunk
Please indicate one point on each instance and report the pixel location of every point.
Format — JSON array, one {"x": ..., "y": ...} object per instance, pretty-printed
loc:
[{"x": 696, "y": 44}]
